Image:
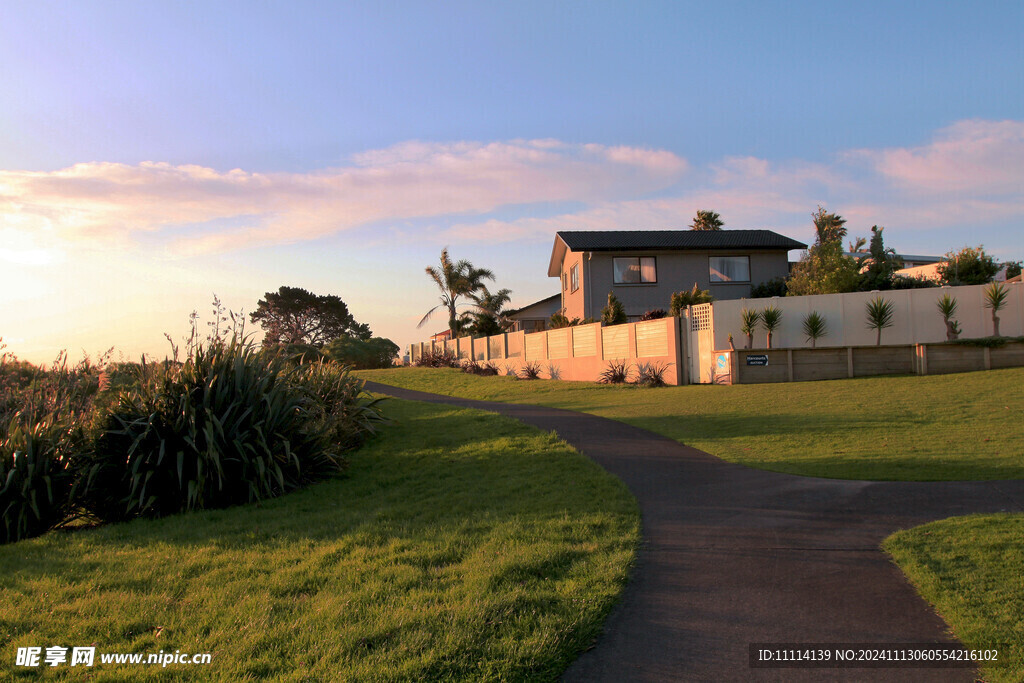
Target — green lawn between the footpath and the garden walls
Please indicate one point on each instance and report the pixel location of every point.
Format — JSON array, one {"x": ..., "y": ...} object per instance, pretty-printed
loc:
[{"x": 944, "y": 428}]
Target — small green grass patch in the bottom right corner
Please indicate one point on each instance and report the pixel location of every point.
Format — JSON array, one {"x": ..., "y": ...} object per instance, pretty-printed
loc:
[{"x": 970, "y": 570}]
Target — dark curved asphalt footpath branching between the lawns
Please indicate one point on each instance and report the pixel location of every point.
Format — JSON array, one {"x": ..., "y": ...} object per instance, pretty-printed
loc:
[{"x": 733, "y": 557}]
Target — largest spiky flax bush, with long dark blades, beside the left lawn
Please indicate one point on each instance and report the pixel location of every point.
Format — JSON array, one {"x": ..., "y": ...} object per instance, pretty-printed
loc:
[{"x": 225, "y": 428}]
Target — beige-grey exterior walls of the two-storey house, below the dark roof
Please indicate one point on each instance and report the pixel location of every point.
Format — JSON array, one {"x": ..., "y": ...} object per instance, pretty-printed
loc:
[{"x": 676, "y": 272}]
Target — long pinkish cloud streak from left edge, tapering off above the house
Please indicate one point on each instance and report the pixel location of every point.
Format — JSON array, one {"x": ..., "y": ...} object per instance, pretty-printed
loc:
[{"x": 114, "y": 203}]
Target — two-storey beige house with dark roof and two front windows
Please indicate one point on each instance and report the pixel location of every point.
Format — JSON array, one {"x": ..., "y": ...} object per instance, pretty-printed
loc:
[{"x": 644, "y": 269}]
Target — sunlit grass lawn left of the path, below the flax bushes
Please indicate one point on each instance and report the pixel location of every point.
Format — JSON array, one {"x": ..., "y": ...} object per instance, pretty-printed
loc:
[{"x": 461, "y": 545}]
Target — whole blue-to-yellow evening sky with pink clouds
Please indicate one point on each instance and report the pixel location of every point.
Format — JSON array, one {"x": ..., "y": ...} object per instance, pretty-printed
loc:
[{"x": 155, "y": 155}]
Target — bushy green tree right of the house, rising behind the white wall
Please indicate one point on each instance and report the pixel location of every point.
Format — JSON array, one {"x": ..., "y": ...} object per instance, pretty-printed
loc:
[{"x": 825, "y": 269}]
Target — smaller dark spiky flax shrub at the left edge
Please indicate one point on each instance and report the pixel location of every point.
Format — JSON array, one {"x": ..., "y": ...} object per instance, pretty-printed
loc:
[{"x": 35, "y": 480}]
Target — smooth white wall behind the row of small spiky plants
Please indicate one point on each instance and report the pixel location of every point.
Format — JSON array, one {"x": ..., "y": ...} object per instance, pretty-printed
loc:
[{"x": 916, "y": 318}]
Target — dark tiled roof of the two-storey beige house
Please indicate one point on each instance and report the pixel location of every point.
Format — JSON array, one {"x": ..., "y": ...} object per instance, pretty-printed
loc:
[{"x": 697, "y": 240}]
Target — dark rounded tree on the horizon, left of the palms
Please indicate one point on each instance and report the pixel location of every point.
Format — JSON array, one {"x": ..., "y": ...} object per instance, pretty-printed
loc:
[{"x": 293, "y": 316}]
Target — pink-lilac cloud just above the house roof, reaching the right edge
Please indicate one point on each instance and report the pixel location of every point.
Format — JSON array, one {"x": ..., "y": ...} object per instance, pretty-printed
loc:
[{"x": 970, "y": 175}]
